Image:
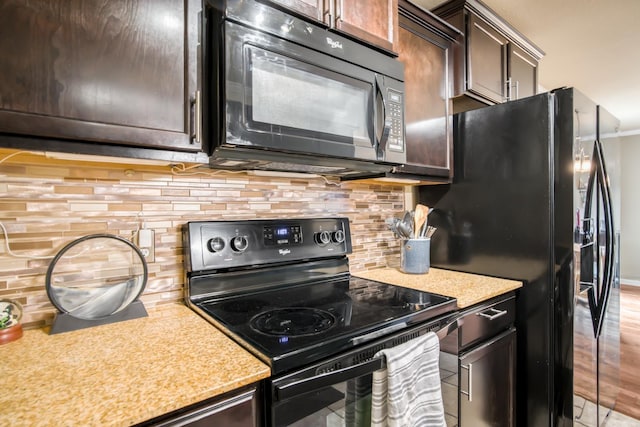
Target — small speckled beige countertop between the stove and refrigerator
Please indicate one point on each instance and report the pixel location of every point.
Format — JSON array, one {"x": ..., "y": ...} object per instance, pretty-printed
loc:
[{"x": 468, "y": 289}]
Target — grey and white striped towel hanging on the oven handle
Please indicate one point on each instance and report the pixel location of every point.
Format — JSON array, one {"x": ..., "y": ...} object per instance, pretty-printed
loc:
[{"x": 407, "y": 393}]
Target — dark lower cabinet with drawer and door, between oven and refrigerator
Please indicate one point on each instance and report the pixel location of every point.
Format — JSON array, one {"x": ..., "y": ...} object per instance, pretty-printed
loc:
[{"x": 478, "y": 366}]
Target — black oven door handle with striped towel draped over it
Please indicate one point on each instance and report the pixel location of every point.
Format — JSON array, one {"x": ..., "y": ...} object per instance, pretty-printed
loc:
[{"x": 304, "y": 385}]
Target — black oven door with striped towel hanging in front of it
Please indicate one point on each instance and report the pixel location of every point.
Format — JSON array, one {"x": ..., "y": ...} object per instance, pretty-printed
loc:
[{"x": 337, "y": 392}]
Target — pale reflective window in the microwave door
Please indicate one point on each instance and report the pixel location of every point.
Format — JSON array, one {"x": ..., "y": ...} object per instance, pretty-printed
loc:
[{"x": 296, "y": 95}]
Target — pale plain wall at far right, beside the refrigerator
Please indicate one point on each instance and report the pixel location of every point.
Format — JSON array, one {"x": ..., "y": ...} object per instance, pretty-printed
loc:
[{"x": 630, "y": 201}]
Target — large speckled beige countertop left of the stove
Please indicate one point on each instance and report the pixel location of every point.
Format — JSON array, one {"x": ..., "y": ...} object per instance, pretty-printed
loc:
[{"x": 120, "y": 374}]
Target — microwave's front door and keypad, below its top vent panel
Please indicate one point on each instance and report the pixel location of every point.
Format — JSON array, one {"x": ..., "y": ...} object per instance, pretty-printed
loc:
[{"x": 281, "y": 96}]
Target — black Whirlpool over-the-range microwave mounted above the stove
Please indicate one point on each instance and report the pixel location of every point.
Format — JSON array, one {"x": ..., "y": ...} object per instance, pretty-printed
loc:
[{"x": 283, "y": 93}]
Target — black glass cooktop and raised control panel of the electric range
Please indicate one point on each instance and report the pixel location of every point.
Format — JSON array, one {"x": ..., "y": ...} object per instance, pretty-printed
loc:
[{"x": 282, "y": 289}]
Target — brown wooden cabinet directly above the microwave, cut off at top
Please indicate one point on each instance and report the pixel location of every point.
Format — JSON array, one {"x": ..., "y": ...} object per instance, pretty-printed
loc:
[{"x": 374, "y": 21}]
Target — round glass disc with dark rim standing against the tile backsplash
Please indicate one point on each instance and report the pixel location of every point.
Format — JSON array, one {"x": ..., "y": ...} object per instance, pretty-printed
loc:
[{"x": 96, "y": 277}]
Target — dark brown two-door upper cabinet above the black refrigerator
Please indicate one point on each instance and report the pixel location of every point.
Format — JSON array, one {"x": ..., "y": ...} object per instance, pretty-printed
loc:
[{"x": 495, "y": 63}]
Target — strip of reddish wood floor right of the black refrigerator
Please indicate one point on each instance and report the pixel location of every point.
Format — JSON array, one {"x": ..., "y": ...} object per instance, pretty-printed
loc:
[{"x": 629, "y": 396}]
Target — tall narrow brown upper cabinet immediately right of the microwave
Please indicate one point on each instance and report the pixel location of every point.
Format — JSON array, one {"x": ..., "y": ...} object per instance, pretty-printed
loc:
[{"x": 425, "y": 47}]
